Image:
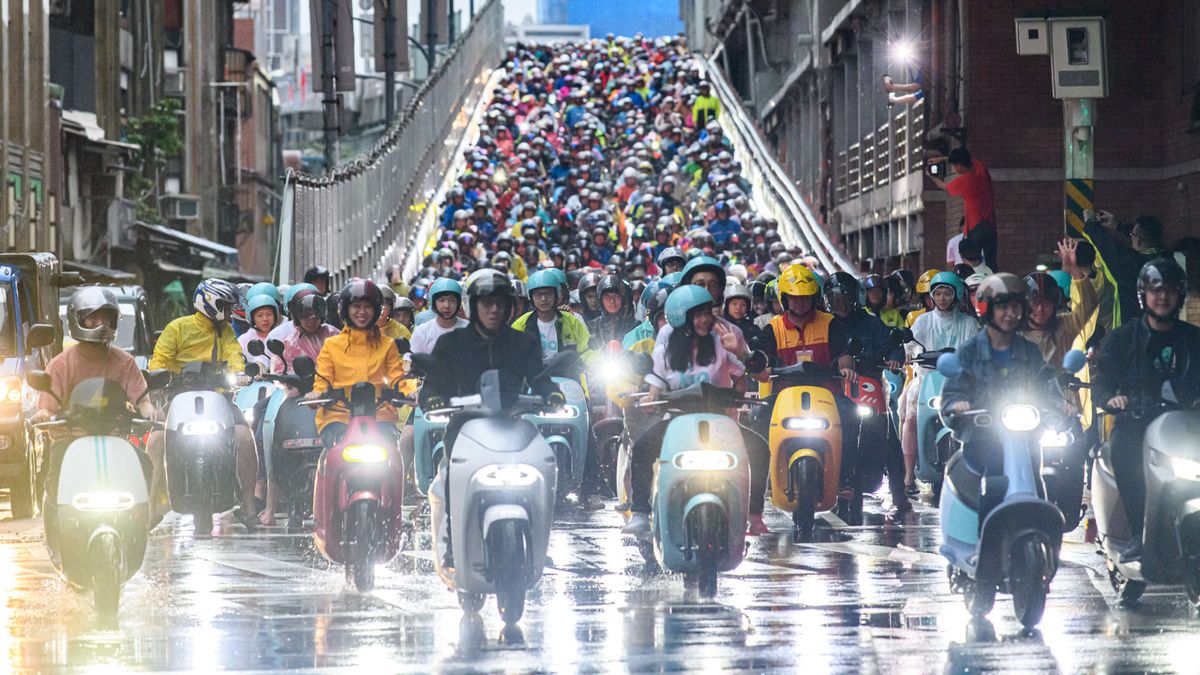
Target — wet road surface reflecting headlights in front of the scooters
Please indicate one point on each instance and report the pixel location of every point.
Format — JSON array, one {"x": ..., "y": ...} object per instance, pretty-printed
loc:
[{"x": 861, "y": 600}]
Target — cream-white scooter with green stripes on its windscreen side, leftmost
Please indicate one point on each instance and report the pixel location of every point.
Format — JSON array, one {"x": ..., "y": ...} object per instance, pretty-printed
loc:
[{"x": 100, "y": 511}]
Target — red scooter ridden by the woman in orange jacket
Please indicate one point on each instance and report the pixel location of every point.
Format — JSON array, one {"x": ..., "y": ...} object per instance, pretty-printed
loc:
[{"x": 359, "y": 488}]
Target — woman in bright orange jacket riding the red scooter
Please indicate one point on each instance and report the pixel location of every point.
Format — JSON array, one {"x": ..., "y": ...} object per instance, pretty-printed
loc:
[{"x": 359, "y": 354}]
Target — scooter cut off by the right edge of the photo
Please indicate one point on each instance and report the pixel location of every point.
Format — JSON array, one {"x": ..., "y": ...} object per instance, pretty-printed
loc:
[{"x": 1172, "y": 534}]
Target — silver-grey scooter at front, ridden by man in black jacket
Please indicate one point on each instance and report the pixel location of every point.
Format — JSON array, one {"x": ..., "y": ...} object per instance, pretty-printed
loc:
[{"x": 500, "y": 495}]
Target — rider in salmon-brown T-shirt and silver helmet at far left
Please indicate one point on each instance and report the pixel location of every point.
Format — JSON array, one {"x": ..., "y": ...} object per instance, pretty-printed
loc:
[{"x": 92, "y": 322}]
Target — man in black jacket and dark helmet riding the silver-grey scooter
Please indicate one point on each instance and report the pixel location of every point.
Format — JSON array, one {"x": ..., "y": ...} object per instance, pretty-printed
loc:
[{"x": 493, "y": 347}]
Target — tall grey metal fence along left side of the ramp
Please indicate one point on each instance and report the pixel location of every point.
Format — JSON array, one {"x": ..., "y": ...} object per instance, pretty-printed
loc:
[{"x": 363, "y": 217}]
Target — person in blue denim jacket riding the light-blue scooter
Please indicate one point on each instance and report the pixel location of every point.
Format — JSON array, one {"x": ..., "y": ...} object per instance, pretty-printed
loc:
[{"x": 995, "y": 363}]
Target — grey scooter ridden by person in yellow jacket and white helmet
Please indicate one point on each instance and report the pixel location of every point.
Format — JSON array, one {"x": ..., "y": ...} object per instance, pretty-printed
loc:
[{"x": 202, "y": 455}]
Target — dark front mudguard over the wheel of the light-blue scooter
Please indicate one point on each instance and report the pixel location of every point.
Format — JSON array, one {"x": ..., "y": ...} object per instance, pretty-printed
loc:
[{"x": 1007, "y": 524}]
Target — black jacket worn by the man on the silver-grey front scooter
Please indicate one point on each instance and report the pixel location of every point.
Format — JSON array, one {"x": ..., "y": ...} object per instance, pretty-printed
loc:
[{"x": 463, "y": 356}]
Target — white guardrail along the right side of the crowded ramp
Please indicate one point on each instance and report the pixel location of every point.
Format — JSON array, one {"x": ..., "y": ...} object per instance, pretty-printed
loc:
[{"x": 775, "y": 193}]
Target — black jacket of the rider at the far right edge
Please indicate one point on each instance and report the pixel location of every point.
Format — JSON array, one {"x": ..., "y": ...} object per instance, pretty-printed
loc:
[{"x": 1136, "y": 361}]
